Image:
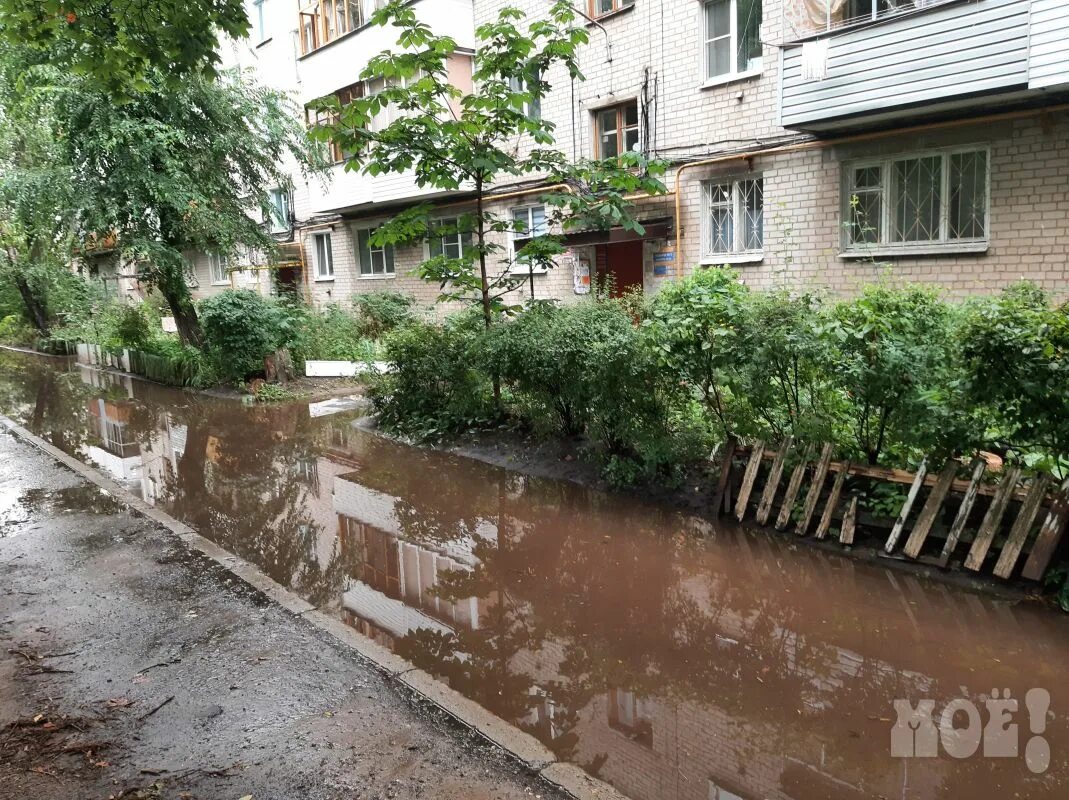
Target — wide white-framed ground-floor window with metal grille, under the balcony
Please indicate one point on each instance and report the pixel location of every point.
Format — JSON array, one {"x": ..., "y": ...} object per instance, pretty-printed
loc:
[{"x": 937, "y": 198}]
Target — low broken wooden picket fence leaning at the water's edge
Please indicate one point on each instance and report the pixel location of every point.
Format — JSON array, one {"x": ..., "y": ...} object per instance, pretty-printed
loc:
[{"x": 1033, "y": 499}]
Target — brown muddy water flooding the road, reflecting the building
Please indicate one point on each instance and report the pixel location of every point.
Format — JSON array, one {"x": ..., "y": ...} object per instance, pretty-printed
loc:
[{"x": 674, "y": 658}]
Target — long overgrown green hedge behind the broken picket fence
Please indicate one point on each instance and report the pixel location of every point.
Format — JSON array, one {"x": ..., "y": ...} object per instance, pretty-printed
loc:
[{"x": 890, "y": 377}]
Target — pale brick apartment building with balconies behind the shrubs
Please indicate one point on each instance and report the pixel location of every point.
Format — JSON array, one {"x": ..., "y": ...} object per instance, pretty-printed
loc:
[{"x": 812, "y": 144}]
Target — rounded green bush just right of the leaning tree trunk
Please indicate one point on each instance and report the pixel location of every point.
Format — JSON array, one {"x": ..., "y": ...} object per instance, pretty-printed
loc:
[{"x": 241, "y": 328}]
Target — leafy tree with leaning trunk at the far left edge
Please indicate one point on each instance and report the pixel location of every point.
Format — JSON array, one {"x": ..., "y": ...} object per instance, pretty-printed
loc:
[{"x": 38, "y": 195}]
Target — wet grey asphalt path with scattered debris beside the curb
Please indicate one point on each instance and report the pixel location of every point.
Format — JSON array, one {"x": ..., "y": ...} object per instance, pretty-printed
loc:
[{"x": 132, "y": 667}]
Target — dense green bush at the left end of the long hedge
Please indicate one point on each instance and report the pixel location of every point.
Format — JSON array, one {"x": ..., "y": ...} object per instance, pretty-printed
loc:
[{"x": 435, "y": 387}]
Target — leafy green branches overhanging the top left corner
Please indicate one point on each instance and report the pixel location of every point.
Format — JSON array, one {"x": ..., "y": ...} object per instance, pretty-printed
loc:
[{"x": 123, "y": 48}]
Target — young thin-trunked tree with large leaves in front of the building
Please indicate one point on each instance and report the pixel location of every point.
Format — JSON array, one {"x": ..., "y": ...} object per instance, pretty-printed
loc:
[{"x": 457, "y": 142}]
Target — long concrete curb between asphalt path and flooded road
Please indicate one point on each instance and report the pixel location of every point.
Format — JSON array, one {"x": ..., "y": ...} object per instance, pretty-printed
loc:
[{"x": 519, "y": 745}]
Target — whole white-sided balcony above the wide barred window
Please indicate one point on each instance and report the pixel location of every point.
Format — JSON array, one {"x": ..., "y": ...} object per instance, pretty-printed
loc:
[{"x": 922, "y": 57}]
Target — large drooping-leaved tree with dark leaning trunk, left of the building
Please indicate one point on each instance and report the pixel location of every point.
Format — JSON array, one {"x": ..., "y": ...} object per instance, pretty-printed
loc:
[{"x": 180, "y": 168}]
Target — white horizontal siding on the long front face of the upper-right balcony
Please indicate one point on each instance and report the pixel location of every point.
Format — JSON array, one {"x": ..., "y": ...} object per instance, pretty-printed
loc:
[{"x": 927, "y": 57}]
